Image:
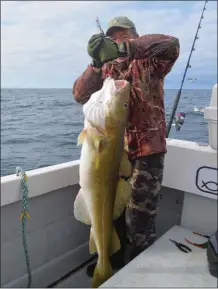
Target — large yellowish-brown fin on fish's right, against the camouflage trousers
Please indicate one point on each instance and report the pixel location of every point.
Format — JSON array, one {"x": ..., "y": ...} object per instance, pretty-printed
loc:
[{"x": 122, "y": 197}]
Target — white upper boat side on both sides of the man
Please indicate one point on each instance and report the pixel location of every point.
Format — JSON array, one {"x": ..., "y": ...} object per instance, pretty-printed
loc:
[{"x": 181, "y": 163}]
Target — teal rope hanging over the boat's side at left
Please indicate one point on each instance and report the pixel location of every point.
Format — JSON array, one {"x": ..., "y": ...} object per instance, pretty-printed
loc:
[{"x": 23, "y": 217}]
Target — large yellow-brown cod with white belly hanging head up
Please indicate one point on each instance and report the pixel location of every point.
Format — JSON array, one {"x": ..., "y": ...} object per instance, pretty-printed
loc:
[{"x": 103, "y": 194}]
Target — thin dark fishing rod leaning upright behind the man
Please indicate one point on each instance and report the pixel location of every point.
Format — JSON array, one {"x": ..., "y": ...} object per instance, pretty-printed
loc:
[{"x": 176, "y": 102}]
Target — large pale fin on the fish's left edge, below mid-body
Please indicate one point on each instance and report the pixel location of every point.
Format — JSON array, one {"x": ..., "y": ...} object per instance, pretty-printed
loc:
[{"x": 80, "y": 209}]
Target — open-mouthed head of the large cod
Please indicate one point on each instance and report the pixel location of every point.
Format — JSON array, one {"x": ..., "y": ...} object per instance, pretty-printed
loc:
[{"x": 116, "y": 102}]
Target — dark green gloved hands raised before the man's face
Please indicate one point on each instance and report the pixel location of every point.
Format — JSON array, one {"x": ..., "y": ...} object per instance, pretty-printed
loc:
[{"x": 103, "y": 49}]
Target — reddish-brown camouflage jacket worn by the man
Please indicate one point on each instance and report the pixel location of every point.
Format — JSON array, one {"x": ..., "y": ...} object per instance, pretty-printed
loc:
[{"x": 154, "y": 56}]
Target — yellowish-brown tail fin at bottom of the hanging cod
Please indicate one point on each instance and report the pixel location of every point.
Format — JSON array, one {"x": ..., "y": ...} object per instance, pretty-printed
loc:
[{"x": 101, "y": 274}]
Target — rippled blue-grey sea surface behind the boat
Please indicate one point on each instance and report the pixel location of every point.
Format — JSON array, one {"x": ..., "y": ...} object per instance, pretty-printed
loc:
[{"x": 39, "y": 127}]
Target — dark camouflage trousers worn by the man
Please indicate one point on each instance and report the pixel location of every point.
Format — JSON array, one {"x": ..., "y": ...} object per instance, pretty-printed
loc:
[{"x": 136, "y": 226}]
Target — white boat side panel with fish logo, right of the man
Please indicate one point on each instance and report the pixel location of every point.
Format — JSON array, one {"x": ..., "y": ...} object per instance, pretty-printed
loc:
[{"x": 182, "y": 161}]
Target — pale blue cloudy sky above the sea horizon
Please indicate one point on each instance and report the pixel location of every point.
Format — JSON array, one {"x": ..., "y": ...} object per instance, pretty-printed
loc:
[{"x": 44, "y": 43}]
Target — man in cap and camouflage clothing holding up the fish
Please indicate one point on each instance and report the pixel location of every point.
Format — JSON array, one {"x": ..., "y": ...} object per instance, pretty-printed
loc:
[{"x": 143, "y": 61}]
